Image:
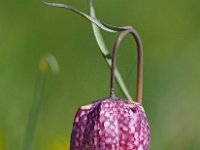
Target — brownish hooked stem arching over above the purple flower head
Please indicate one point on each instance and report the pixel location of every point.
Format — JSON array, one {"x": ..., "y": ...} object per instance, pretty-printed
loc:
[{"x": 140, "y": 63}]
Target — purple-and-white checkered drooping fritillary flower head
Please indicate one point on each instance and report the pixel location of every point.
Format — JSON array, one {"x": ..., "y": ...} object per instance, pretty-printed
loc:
[{"x": 110, "y": 124}]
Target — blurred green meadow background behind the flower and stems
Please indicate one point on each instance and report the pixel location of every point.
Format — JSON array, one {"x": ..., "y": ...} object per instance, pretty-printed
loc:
[{"x": 171, "y": 39}]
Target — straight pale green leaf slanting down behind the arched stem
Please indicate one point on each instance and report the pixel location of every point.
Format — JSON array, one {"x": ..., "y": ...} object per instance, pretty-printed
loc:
[{"x": 105, "y": 52}]
